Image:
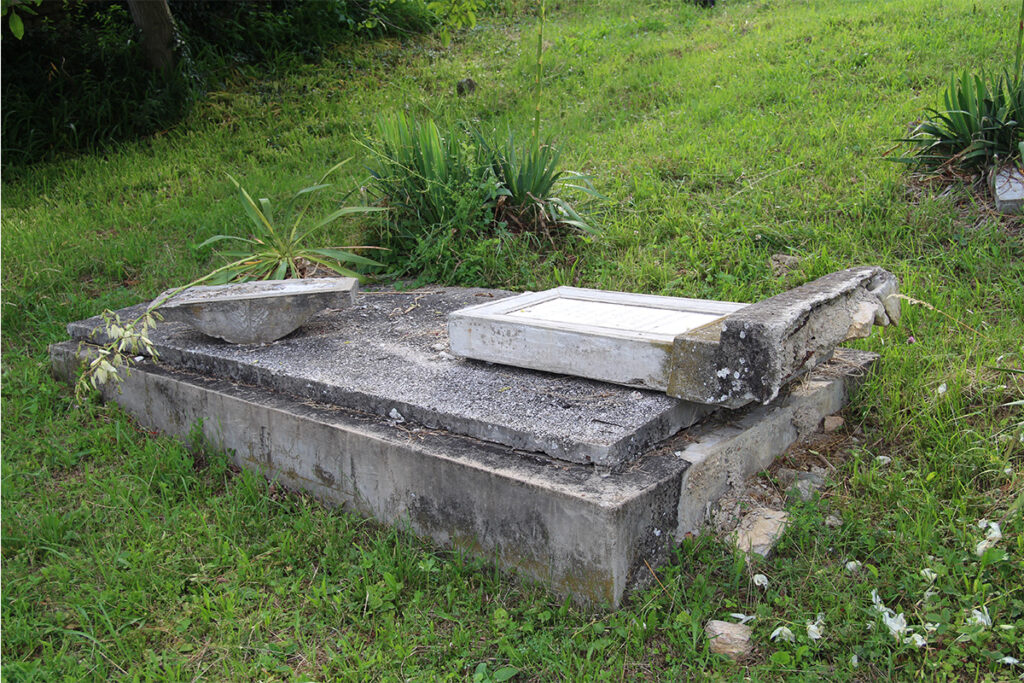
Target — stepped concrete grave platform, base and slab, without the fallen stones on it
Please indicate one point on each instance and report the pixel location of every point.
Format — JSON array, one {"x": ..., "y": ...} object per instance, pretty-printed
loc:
[{"x": 581, "y": 485}]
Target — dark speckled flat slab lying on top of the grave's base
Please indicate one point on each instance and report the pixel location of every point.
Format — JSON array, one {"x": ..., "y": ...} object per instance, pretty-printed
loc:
[{"x": 388, "y": 357}]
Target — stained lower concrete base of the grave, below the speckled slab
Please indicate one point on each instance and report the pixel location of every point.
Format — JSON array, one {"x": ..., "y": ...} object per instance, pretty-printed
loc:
[{"x": 584, "y": 531}]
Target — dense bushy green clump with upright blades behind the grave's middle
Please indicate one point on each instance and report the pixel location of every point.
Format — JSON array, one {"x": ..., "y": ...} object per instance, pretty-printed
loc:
[{"x": 458, "y": 202}]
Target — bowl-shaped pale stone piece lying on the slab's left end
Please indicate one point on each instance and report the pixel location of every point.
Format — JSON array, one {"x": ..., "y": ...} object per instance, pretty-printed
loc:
[{"x": 258, "y": 313}]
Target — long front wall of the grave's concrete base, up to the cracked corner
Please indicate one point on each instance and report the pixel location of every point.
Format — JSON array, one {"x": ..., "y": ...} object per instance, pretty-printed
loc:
[{"x": 583, "y": 534}]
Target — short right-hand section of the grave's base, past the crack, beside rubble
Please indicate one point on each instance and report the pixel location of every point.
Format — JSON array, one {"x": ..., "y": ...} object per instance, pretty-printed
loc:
[{"x": 724, "y": 454}]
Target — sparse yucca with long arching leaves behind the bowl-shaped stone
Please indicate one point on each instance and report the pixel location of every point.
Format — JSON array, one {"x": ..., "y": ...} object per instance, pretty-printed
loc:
[{"x": 278, "y": 248}]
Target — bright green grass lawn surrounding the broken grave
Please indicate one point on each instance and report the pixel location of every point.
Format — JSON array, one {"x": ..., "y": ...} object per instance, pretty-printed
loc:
[{"x": 718, "y": 139}]
